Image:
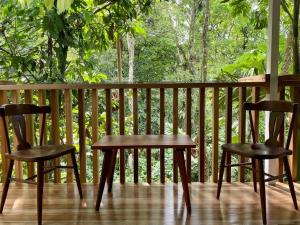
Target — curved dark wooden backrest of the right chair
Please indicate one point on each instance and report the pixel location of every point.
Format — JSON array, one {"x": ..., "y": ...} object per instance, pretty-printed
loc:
[{"x": 277, "y": 110}]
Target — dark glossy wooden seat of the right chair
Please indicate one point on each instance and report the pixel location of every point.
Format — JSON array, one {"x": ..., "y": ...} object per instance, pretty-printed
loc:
[{"x": 257, "y": 151}]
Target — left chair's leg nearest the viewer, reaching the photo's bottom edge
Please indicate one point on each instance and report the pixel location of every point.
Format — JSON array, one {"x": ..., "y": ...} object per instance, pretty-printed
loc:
[{"x": 40, "y": 186}]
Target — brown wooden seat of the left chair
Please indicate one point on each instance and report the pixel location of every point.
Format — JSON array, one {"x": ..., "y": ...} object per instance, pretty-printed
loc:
[{"x": 40, "y": 153}]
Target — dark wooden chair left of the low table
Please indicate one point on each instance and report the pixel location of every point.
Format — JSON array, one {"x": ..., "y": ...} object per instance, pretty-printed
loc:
[{"x": 37, "y": 154}]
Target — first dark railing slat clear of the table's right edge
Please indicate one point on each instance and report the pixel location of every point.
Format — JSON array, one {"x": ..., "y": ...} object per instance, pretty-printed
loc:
[{"x": 202, "y": 135}]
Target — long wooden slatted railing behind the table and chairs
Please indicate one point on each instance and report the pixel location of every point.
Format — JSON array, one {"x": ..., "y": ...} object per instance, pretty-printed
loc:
[{"x": 83, "y": 103}]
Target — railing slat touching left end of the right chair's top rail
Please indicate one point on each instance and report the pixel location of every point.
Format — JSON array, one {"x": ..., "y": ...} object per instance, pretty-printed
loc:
[{"x": 242, "y": 129}]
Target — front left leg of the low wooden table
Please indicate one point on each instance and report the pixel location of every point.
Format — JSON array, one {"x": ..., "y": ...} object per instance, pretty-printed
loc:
[{"x": 105, "y": 168}]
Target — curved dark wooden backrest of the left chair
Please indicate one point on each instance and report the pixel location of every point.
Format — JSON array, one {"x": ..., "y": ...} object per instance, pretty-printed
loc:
[{"x": 16, "y": 114}]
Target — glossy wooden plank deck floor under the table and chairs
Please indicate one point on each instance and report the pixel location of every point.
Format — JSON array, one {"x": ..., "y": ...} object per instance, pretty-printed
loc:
[{"x": 155, "y": 204}]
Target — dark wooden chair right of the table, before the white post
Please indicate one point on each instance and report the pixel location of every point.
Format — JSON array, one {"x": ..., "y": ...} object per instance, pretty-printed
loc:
[{"x": 271, "y": 149}]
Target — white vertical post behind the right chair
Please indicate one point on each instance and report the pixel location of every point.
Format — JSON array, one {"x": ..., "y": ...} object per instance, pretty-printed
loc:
[{"x": 272, "y": 64}]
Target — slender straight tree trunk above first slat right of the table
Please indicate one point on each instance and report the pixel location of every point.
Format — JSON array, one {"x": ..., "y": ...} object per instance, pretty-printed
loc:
[{"x": 205, "y": 41}]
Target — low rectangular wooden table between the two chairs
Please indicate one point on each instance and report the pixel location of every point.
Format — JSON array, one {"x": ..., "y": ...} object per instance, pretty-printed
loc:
[{"x": 110, "y": 144}]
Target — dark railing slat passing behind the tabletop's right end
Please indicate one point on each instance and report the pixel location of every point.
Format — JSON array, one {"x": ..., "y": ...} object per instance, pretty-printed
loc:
[{"x": 189, "y": 131}]
